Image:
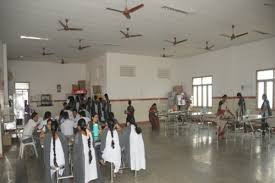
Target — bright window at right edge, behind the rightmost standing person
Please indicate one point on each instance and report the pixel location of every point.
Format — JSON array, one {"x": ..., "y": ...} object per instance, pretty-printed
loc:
[{"x": 265, "y": 84}]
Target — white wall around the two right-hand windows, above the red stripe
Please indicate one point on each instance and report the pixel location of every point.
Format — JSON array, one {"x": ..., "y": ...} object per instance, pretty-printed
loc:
[{"x": 230, "y": 67}]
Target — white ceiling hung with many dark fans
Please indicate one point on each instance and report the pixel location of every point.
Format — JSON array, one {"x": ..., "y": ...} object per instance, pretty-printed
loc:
[{"x": 210, "y": 18}]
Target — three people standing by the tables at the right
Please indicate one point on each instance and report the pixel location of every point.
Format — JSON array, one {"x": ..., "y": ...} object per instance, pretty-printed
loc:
[{"x": 224, "y": 114}]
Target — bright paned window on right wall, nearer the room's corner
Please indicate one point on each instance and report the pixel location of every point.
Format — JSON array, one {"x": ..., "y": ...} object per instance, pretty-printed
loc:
[{"x": 202, "y": 91}]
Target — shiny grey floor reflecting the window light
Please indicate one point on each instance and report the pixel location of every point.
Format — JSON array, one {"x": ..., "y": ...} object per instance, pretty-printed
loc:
[{"x": 192, "y": 157}]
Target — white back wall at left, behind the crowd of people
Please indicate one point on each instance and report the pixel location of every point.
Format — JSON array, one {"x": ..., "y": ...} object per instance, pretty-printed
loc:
[{"x": 44, "y": 77}]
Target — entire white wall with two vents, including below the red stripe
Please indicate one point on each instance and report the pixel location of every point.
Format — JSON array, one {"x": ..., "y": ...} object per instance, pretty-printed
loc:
[{"x": 144, "y": 89}]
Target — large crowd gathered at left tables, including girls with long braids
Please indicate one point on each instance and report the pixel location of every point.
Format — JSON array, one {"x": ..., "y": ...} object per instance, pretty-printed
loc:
[{"x": 95, "y": 141}]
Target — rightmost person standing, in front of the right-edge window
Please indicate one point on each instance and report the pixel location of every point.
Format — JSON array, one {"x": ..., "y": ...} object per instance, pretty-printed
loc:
[{"x": 265, "y": 112}]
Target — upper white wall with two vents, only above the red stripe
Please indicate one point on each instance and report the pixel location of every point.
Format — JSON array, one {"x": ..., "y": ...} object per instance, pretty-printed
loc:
[{"x": 146, "y": 84}]
